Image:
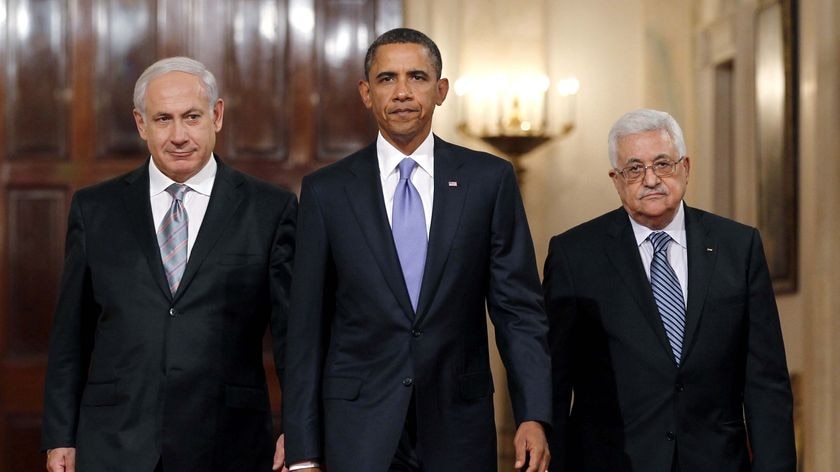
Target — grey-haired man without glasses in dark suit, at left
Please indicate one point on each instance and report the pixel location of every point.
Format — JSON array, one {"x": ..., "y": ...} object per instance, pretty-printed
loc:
[{"x": 172, "y": 274}]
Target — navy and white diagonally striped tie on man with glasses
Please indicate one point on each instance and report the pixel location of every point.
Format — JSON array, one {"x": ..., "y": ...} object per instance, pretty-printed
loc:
[{"x": 667, "y": 292}]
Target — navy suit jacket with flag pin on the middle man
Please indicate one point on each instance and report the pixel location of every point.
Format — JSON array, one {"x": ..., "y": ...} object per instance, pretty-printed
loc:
[{"x": 357, "y": 350}]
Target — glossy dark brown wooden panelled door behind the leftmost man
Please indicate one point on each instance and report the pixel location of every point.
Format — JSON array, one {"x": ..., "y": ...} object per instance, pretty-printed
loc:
[{"x": 287, "y": 70}]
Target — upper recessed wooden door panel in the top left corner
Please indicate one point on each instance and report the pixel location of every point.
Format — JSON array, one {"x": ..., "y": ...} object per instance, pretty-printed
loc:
[{"x": 36, "y": 80}]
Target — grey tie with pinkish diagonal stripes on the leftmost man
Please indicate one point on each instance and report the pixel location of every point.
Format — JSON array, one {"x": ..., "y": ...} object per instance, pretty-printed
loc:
[{"x": 172, "y": 237}]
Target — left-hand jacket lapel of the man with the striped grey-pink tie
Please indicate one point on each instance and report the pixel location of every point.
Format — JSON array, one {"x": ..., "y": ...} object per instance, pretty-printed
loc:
[{"x": 139, "y": 212}]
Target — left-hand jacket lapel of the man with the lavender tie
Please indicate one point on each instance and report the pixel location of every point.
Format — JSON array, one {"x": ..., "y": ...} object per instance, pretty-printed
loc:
[{"x": 364, "y": 192}]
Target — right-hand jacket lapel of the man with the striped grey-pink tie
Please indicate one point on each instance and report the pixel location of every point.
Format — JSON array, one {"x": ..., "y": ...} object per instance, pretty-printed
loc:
[{"x": 224, "y": 200}]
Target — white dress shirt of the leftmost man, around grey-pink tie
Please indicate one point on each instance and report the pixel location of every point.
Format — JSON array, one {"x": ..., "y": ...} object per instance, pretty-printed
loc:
[{"x": 195, "y": 200}]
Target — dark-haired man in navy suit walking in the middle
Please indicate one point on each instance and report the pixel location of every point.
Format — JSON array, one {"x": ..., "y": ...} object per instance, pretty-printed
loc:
[{"x": 388, "y": 364}]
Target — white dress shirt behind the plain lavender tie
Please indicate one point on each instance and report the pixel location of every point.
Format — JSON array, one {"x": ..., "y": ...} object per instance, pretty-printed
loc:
[{"x": 422, "y": 177}]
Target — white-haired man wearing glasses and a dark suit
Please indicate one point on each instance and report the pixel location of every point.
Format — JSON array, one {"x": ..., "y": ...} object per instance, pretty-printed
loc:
[{"x": 664, "y": 326}]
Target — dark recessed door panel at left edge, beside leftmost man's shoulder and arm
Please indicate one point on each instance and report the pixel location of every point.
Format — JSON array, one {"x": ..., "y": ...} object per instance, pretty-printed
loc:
[{"x": 35, "y": 230}]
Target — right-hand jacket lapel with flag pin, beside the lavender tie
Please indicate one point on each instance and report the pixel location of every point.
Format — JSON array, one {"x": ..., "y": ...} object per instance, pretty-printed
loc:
[{"x": 451, "y": 187}]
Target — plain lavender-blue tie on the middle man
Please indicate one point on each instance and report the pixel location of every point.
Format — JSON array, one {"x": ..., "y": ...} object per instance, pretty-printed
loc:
[{"x": 408, "y": 223}]
